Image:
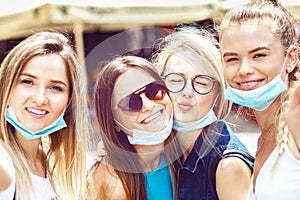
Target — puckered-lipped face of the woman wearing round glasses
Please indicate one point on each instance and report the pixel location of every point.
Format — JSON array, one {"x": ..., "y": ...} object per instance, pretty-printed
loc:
[{"x": 188, "y": 104}]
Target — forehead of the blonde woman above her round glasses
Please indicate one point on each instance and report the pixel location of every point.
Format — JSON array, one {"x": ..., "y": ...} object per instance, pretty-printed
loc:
[{"x": 186, "y": 62}]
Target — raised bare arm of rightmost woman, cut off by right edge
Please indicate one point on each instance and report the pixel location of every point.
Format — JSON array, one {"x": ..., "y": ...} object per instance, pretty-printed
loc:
[{"x": 292, "y": 121}]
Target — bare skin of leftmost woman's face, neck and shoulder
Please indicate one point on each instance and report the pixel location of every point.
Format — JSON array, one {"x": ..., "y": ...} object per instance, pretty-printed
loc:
[{"x": 38, "y": 98}]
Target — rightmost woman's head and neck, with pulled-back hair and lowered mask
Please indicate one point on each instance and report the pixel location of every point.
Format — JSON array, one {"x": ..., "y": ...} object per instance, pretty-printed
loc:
[{"x": 258, "y": 44}]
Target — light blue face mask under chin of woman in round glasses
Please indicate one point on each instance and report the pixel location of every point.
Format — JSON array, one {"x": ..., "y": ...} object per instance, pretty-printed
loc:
[{"x": 184, "y": 127}]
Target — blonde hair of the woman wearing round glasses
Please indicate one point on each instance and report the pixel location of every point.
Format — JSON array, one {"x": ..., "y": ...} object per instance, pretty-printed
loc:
[{"x": 204, "y": 45}]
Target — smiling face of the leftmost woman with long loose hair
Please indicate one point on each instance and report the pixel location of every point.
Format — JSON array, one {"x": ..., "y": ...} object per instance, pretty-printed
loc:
[{"x": 41, "y": 92}]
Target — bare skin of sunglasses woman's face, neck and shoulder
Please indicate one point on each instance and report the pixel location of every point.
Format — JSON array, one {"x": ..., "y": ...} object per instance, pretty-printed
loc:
[{"x": 153, "y": 116}]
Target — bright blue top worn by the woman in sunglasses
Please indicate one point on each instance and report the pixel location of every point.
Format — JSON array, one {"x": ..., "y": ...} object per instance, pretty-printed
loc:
[{"x": 158, "y": 182}]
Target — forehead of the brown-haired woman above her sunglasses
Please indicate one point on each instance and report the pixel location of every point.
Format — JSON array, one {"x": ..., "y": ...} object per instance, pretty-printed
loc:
[{"x": 130, "y": 81}]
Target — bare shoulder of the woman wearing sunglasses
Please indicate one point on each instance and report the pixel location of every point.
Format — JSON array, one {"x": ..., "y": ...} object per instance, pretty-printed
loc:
[{"x": 105, "y": 183}]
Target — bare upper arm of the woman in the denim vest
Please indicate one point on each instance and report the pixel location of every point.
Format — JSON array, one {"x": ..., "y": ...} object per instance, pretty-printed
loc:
[{"x": 233, "y": 177}]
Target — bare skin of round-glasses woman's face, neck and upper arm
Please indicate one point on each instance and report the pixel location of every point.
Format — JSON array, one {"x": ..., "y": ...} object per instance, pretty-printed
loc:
[{"x": 231, "y": 172}]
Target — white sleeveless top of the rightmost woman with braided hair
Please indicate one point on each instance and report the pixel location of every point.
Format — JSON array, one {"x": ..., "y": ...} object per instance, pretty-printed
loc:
[{"x": 283, "y": 183}]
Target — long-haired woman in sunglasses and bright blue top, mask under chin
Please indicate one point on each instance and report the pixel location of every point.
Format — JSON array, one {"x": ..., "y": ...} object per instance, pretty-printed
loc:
[{"x": 134, "y": 113}]
